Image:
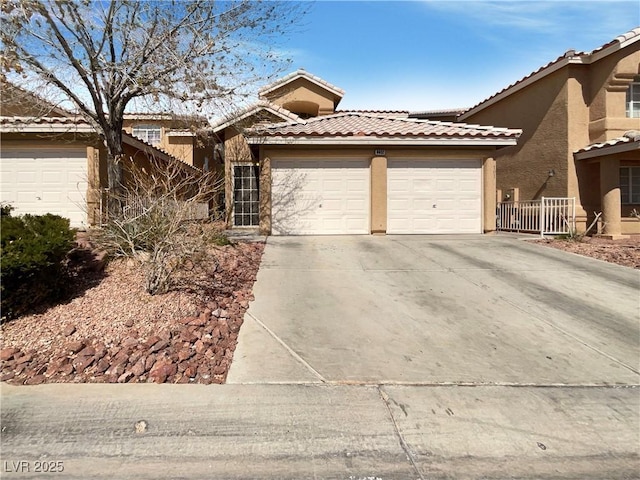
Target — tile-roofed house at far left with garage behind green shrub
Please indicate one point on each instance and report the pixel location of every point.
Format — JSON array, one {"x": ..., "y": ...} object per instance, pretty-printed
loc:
[{"x": 54, "y": 162}]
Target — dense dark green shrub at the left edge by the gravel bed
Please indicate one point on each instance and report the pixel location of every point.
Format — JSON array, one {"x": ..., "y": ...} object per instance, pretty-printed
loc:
[{"x": 33, "y": 252}]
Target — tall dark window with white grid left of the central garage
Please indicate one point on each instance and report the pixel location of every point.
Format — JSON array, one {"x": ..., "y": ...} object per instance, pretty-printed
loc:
[{"x": 245, "y": 196}]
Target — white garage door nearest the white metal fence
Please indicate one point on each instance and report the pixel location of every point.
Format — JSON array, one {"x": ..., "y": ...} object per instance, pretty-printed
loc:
[{"x": 434, "y": 196}]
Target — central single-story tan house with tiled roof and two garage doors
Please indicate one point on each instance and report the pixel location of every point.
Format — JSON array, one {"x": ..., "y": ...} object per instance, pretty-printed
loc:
[{"x": 295, "y": 165}]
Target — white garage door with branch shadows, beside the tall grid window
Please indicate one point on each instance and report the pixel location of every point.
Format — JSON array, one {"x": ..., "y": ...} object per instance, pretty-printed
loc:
[{"x": 320, "y": 197}]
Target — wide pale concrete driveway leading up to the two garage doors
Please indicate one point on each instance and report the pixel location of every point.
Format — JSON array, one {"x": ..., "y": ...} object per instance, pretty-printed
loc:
[{"x": 479, "y": 310}]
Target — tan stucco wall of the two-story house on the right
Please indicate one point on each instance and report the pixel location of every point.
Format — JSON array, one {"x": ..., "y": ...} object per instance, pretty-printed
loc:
[{"x": 575, "y": 106}]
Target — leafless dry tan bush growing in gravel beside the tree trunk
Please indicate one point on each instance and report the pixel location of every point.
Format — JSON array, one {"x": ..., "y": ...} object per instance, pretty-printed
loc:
[{"x": 157, "y": 219}]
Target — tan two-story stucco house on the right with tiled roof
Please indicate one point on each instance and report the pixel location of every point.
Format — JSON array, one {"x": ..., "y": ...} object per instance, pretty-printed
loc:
[{"x": 580, "y": 117}]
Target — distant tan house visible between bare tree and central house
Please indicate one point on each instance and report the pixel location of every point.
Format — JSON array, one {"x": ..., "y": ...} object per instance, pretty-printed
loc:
[{"x": 178, "y": 135}]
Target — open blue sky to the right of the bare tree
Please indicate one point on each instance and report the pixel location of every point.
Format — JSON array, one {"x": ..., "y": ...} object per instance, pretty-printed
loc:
[{"x": 431, "y": 54}]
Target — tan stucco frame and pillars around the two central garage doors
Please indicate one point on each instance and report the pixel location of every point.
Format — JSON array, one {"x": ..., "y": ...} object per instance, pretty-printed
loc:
[{"x": 378, "y": 175}]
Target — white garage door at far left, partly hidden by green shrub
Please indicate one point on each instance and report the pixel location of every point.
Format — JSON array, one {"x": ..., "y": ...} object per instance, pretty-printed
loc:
[{"x": 39, "y": 181}]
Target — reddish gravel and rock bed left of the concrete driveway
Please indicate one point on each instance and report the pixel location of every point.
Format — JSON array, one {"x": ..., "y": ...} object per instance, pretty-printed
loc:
[{"x": 113, "y": 331}]
